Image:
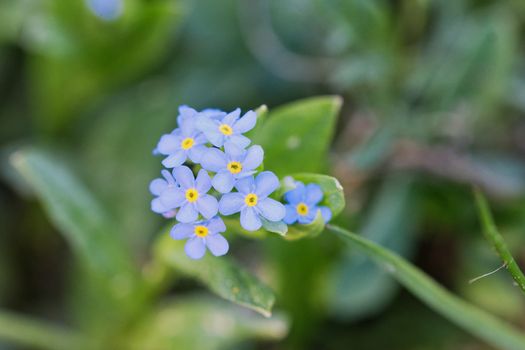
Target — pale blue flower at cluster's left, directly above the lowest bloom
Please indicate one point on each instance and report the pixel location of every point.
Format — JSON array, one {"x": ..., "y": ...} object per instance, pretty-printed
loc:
[{"x": 191, "y": 197}]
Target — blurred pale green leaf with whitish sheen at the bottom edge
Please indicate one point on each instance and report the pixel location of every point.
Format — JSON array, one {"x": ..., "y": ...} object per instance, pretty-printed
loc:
[{"x": 203, "y": 323}]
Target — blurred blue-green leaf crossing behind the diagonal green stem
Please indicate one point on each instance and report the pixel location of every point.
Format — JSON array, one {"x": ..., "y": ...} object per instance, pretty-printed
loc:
[{"x": 358, "y": 287}]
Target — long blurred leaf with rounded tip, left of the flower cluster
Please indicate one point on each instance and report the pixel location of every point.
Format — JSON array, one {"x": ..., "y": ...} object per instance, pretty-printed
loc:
[{"x": 84, "y": 223}]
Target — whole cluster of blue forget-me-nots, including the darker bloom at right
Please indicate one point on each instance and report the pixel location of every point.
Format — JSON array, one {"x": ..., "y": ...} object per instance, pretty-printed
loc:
[{"x": 214, "y": 170}]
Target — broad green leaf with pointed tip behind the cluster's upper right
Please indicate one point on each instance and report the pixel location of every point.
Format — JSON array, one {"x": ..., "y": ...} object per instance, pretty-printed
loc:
[{"x": 296, "y": 137}]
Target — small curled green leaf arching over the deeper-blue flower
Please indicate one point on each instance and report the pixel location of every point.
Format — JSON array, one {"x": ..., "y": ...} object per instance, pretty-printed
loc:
[{"x": 333, "y": 191}]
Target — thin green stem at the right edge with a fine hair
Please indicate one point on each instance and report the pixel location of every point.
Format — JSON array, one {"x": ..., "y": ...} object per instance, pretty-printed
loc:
[{"x": 497, "y": 241}]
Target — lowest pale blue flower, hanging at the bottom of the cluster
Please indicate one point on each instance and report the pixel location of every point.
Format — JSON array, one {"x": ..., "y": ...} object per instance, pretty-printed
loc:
[{"x": 202, "y": 234}]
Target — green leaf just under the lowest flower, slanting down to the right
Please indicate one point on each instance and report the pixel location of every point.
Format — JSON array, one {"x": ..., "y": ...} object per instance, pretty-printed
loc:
[{"x": 220, "y": 274}]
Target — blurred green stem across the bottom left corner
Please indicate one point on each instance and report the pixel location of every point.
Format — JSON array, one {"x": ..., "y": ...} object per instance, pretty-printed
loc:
[{"x": 39, "y": 334}]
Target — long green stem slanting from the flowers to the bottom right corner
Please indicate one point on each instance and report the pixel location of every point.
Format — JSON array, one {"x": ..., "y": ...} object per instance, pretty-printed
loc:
[{"x": 469, "y": 317}]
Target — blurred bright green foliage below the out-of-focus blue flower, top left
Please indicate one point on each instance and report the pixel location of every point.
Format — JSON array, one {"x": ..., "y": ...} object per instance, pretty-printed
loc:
[{"x": 70, "y": 41}]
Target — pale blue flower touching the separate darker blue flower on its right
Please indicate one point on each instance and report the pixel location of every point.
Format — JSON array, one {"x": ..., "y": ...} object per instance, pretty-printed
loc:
[{"x": 253, "y": 202}]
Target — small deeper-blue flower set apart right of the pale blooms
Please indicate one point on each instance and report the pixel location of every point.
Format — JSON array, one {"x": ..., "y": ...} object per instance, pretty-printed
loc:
[{"x": 303, "y": 206}]
